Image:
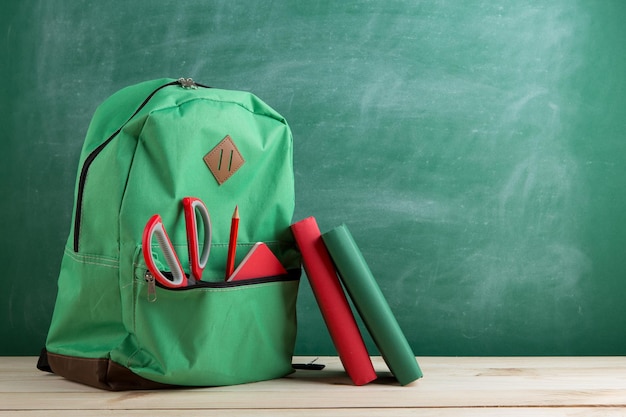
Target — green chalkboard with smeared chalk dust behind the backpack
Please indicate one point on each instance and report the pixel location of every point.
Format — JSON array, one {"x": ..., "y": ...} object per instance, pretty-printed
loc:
[{"x": 476, "y": 150}]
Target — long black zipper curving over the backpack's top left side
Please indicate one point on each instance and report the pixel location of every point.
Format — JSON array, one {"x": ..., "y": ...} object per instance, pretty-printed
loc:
[{"x": 184, "y": 83}]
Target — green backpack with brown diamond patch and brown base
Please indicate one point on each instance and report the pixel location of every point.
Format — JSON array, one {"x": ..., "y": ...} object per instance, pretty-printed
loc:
[{"x": 149, "y": 146}]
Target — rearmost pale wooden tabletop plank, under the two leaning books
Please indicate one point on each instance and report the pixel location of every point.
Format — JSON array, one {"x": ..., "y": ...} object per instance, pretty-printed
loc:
[{"x": 589, "y": 372}]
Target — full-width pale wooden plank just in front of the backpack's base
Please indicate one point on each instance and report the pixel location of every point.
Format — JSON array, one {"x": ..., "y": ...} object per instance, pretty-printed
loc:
[{"x": 319, "y": 399}]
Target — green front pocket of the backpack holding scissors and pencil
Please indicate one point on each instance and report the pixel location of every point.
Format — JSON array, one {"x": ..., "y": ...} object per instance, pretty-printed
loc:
[{"x": 213, "y": 333}]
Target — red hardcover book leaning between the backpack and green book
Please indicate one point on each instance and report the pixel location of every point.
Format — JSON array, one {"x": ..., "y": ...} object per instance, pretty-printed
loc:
[{"x": 333, "y": 302}]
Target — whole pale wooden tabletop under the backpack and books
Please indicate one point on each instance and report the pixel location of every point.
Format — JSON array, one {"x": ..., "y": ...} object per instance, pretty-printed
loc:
[{"x": 452, "y": 386}]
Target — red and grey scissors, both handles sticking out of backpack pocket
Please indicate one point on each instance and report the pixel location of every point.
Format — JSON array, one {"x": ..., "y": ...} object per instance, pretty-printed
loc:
[{"x": 197, "y": 260}]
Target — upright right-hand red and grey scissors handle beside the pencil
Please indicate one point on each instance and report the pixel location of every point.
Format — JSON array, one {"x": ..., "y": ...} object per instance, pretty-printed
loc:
[{"x": 197, "y": 260}]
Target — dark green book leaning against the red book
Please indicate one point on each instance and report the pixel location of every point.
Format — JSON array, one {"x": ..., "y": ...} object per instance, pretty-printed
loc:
[{"x": 371, "y": 305}]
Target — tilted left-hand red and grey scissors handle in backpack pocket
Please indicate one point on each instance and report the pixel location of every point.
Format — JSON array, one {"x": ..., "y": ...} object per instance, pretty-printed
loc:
[{"x": 154, "y": 228}]
